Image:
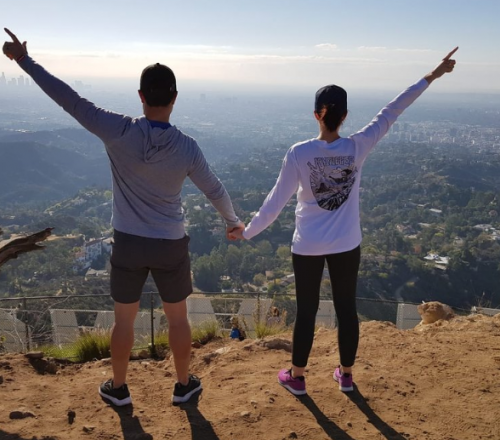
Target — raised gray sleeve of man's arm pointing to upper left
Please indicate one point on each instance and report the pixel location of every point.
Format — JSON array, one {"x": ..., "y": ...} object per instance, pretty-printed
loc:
[{"x": 103, "y": 123}]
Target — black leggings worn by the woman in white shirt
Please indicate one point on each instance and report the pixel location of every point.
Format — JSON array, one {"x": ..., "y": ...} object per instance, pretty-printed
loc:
[{"x": 343, "y": 268}]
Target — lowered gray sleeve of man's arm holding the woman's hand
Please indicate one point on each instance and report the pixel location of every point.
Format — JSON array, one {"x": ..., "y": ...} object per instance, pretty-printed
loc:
[{"x": 208, "y": 183}]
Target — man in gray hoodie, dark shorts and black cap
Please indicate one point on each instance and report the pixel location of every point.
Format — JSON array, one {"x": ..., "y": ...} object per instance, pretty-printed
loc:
[{"x": 150, "y": 160}]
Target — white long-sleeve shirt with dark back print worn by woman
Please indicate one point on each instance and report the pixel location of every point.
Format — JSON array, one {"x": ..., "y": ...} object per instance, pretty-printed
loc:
[{"x": 326, "y": 177}]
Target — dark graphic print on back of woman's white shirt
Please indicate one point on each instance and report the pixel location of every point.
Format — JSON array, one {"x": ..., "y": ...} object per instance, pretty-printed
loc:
[{"x": 332, "y": 179}]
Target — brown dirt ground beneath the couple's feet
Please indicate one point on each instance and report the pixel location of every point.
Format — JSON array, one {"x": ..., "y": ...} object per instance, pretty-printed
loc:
[{"x": 441, "y": 382}]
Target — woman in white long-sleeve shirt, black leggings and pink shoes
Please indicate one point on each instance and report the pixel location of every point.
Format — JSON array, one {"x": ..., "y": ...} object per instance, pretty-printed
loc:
[{"x": 325, "y": 172}]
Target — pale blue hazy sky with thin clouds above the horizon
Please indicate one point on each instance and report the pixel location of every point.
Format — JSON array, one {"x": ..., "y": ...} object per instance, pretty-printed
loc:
[{"x": 366, "y": 44}]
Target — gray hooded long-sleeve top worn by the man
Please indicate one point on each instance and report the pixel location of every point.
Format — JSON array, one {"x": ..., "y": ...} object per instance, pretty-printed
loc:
[{"x": 148, "y": 165}]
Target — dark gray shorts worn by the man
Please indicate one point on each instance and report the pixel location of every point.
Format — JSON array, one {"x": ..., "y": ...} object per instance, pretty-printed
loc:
[{"x": 132, "y": 259}]
